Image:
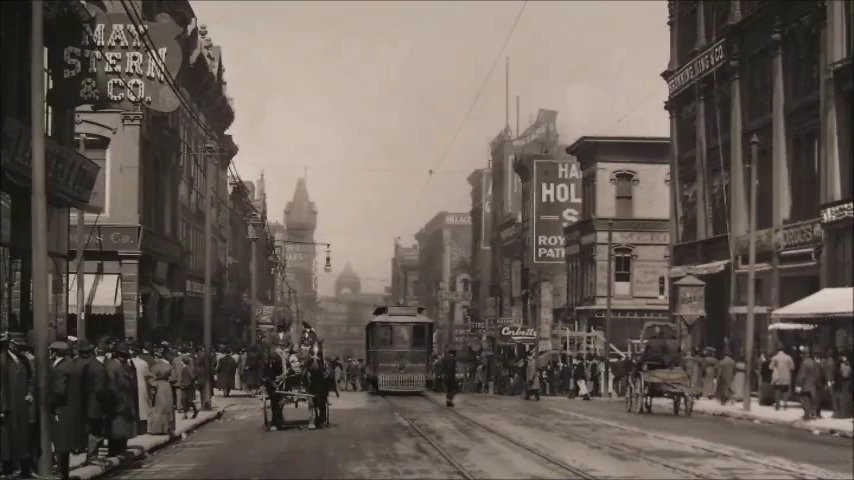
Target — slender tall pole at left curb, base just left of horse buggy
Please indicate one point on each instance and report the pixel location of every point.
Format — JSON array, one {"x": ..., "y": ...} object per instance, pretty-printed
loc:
[{"x": 210, "y": 163}]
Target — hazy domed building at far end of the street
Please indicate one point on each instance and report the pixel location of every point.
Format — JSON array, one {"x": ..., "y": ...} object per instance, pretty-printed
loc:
[{"x": 341, "y": 318}]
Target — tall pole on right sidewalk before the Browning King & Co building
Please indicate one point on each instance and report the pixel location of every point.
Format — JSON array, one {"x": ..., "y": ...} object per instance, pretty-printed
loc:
[{"x": 751, "y": 270}]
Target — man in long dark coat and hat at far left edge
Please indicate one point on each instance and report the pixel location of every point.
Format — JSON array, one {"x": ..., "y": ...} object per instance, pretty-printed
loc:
[{"x": 16, "y": 400}]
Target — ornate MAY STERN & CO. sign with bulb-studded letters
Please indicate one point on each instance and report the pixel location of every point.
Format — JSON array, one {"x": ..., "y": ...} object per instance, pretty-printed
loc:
[{"x": 113, "y": 63}]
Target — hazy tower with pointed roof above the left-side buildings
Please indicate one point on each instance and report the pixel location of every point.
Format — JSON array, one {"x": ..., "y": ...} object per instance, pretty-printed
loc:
[{"x": 300, "y": 218}]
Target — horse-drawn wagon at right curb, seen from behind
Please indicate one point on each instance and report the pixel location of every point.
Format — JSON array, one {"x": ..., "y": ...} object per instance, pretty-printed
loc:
[{"x": 658, "y": 372}]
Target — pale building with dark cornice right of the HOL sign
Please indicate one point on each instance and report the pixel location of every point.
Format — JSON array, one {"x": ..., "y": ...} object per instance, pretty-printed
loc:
[{"x": 625, "y": 183}]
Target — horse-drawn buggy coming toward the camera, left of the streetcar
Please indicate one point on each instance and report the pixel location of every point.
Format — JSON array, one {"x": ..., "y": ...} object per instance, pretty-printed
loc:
[{"x": 299, "y": 374}]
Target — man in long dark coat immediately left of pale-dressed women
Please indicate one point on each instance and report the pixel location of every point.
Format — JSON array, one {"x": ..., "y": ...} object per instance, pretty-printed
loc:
[{"x": 122, "y": 416}]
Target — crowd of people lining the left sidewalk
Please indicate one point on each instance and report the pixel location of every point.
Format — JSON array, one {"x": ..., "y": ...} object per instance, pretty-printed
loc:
[{"x": 105, "y": 394}]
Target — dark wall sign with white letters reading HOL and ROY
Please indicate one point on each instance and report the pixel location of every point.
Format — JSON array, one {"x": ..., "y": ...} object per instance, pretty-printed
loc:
[{"x": 556, "y": 204}]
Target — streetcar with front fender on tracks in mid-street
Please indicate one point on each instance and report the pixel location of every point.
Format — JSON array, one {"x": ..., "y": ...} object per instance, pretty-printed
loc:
[{"x": 398, "y": 345}]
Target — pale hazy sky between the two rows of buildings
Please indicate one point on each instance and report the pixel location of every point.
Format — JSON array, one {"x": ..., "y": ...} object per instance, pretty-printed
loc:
[{"x": 368, "y": 95}]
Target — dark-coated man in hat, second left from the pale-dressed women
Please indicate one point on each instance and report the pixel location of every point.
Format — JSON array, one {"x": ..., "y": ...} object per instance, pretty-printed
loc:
[{"x": 96, "y": 398}]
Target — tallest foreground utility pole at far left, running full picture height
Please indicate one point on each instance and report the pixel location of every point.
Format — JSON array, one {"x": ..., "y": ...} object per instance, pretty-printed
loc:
[{"x": 39, "y": 232}]
